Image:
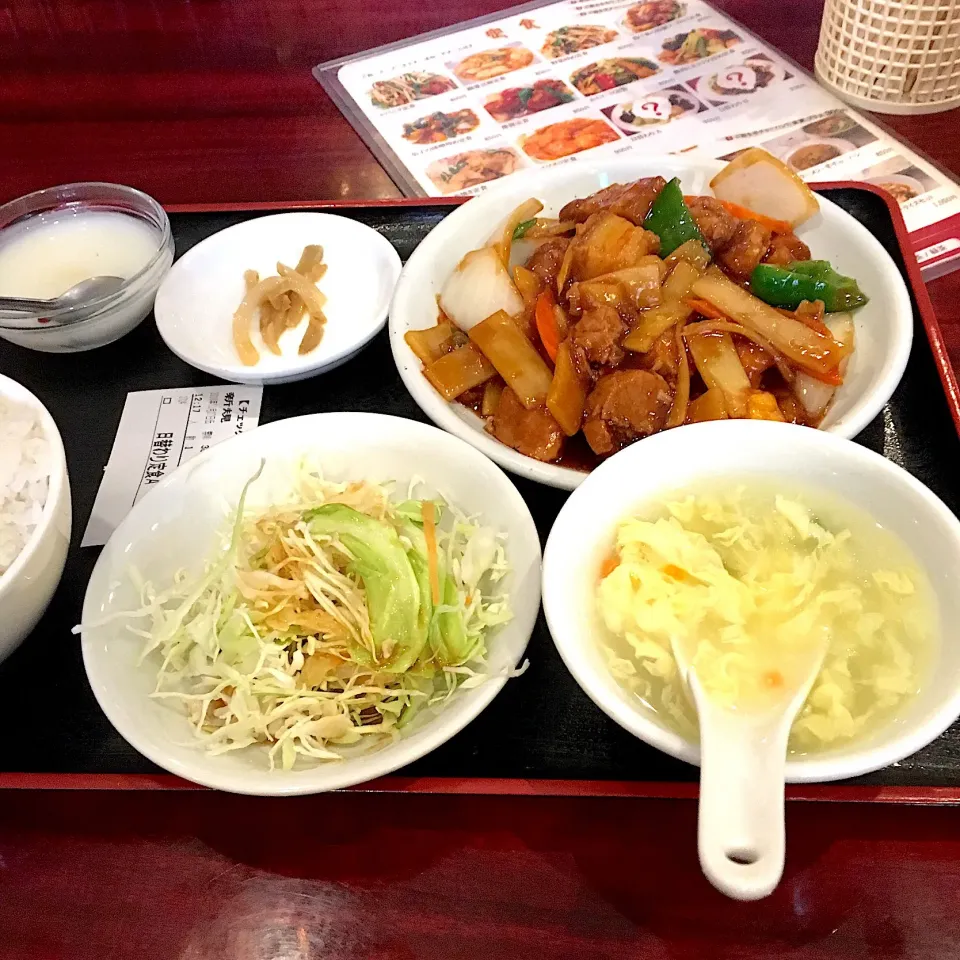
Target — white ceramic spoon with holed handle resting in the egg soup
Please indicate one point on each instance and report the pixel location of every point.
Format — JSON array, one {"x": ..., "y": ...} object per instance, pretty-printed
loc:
[{"x": 741, "y": 834}]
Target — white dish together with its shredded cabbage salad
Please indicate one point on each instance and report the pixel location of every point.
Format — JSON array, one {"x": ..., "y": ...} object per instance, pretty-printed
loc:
[{"x": 312, "y": 605}]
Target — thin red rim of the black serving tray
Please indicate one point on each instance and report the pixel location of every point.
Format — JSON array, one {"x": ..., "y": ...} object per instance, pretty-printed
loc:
[{"x": 830, "y": 793}]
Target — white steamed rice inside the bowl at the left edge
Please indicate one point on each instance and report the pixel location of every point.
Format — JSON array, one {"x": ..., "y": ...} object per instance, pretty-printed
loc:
[{"x": 24, "y": 478}]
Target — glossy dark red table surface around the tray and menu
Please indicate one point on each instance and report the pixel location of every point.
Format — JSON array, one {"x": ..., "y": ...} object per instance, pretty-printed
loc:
[{"x": 212, "y": 101}]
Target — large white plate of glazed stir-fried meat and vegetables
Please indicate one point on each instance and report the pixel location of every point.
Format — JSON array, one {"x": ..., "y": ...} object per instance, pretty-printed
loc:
[{"x": 560, "y": 318}]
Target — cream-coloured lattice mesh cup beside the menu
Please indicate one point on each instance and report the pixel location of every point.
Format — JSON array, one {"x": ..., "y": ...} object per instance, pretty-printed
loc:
[{"x": 891, "y": 56}]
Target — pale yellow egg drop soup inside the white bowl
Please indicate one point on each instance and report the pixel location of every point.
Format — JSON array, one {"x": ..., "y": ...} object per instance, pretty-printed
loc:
[{"x": 751, "y": 586}]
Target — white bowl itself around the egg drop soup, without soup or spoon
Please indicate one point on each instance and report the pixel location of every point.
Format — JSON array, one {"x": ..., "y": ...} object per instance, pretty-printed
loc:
[{"x": 921, "y": 535}]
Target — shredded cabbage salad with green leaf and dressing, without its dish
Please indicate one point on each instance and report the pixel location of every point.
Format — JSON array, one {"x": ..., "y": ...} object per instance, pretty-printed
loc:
[{"x": 309, "y": 631}]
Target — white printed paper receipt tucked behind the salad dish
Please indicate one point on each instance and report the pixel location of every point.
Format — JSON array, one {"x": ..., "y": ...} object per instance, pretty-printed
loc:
[{"x": 160, "y": 430}]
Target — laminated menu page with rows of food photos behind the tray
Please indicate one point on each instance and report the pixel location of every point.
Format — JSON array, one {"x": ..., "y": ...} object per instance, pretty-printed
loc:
[{"x": 454, "y": 112}]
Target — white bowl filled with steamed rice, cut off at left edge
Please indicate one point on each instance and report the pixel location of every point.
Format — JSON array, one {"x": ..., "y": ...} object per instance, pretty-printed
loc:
[{"x": 35, "y": 512}]
